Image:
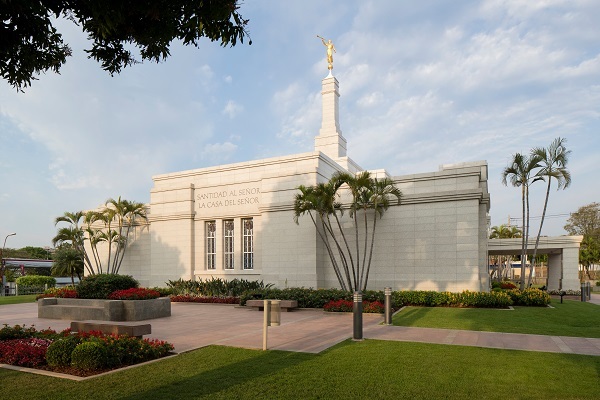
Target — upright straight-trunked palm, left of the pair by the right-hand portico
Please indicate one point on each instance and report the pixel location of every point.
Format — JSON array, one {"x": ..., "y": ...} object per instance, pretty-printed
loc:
[{"x": 519, "y": 173}]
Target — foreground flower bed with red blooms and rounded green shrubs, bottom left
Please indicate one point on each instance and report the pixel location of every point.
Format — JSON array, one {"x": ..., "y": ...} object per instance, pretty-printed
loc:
[{"x": 81, "y": 354}]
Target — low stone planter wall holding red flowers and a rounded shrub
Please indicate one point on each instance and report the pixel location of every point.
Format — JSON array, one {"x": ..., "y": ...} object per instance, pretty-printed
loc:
[{"x": 103, "y": 310}]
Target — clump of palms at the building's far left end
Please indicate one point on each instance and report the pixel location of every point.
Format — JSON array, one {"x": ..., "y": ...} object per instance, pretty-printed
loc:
[{"x": 109, "y": 226}]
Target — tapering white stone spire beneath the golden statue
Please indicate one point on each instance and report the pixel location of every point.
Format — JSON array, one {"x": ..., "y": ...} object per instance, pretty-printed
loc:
[{"x": 330, "y": 140}]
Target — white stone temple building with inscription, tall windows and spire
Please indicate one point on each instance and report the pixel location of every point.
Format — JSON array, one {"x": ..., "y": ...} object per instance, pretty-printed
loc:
[{"x": 435, "y": 240}]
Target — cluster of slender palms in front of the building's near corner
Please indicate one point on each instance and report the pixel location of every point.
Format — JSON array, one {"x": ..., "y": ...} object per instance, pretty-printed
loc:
[{"x": 370, "y": 198}]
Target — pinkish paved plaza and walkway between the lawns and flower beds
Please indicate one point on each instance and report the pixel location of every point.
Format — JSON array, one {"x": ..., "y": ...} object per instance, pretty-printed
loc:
[{"x": 193, "y": 326}]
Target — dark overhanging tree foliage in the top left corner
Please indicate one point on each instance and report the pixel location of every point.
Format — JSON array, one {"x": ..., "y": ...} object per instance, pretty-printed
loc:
[{"x": 30, "y": 42}]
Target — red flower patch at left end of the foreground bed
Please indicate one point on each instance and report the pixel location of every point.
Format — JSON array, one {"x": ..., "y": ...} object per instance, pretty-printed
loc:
[{"x": 29, "y": 352}]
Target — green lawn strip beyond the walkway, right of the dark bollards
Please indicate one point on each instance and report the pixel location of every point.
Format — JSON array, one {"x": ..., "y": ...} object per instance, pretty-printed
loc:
[{"x": 572, "y": 318}]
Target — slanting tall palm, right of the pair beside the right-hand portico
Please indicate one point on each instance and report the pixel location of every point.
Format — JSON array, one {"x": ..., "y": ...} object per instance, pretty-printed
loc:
[{"x": 553, "y": 162}]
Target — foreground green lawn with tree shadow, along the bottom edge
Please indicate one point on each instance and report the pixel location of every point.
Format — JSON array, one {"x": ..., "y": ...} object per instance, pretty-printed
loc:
[{"x": 351, "y": 370}]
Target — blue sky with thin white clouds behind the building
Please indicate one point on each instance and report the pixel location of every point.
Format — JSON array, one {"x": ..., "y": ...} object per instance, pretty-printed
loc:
[{"x": 422, "y": 84}]
